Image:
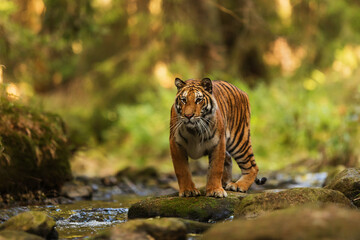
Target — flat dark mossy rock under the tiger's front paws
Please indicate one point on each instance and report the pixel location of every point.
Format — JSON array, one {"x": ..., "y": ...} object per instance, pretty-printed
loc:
[{"x": 201, "y": 208}]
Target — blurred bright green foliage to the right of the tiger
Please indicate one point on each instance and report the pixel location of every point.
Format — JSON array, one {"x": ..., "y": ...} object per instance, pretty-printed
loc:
[{"x": 290, "y": 123}]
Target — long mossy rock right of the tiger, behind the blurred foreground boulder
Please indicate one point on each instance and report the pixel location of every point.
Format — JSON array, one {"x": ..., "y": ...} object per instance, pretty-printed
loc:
[{"x": 255, "y": 205}]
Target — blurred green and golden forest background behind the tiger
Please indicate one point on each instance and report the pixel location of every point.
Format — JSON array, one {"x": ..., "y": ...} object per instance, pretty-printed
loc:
[{"x": 108, "y": 67}]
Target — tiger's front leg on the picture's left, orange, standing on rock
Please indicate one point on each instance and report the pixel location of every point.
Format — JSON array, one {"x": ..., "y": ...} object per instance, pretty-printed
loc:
[{"x": 181, "y": 165}]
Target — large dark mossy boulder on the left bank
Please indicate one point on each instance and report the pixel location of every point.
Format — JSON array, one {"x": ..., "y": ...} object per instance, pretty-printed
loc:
[{"x": 34, "y": 154}]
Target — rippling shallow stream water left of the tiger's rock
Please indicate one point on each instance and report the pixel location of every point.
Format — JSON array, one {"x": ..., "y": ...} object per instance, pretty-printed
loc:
[{"x": 82, "y": 218}]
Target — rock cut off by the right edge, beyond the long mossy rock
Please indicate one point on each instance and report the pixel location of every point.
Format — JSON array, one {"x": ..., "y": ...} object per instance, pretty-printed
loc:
[{"x": 347, "y": 182}]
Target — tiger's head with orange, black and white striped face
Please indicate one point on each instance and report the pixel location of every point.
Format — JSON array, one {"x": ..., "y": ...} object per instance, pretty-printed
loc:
[{"x": 194, "y": 103}]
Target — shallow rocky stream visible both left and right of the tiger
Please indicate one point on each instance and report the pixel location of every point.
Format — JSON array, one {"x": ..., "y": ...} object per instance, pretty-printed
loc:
[{"x": 83, "y": 218}]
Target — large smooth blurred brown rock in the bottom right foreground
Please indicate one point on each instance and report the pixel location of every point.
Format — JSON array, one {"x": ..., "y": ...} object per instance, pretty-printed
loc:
[{"x": 304, "y": 223}]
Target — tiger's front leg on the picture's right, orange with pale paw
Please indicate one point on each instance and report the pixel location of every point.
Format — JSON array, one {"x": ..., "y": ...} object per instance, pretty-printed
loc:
[{"x": 215, "y": 172}]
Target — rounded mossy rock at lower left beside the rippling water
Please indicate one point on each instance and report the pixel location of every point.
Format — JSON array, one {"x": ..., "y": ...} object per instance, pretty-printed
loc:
[{"x": 33, "y": 222}]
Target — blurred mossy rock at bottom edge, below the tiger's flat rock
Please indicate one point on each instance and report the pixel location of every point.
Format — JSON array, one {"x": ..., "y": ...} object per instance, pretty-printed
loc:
[{"x": 159, "y": 229}]
